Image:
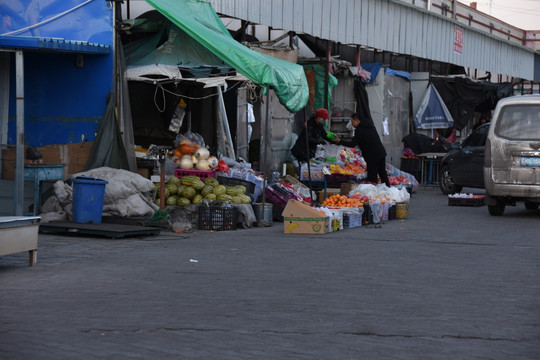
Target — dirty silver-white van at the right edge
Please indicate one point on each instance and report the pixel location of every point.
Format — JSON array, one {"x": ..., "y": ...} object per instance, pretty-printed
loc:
[{"x": 512, "y": 154}]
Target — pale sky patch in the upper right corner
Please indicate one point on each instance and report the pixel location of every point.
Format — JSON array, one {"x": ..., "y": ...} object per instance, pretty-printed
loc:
[{"x": 524, "y": 14}]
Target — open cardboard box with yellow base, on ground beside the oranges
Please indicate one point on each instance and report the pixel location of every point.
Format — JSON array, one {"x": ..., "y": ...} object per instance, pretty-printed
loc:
[{"x": 299, "y": 218}]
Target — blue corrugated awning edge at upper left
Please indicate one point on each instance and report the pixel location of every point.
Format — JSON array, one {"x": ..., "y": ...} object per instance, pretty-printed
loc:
[{"x": 52, "y": 44}]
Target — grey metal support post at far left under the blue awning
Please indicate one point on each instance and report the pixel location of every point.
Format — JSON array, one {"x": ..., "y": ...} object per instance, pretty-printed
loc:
[{"x": 19, "y": 161}]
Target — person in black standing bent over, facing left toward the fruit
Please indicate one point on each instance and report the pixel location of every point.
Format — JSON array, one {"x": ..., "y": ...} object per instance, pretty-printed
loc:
[{"x": 369, "y": 142}]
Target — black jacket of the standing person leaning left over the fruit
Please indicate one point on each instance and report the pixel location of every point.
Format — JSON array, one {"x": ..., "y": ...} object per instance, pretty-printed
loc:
[{"x": 368, "y": 140}]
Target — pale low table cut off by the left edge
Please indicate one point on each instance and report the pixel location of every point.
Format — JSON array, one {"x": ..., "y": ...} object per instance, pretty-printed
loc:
[{"x": 19, "y": 233}]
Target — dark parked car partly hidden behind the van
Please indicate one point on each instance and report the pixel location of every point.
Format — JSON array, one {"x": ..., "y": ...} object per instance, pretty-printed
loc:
[{"x": 463, "y": 166}]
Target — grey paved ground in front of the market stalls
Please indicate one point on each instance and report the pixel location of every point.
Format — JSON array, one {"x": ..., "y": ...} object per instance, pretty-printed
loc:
[{"x": 446, "y": 283}]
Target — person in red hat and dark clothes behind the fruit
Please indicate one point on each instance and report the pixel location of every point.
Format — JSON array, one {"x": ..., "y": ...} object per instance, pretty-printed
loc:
[{"x": 315, "y": 131}]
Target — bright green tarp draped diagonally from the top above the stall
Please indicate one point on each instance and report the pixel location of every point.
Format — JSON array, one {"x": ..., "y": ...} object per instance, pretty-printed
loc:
[{"x": 199, "y": 20}]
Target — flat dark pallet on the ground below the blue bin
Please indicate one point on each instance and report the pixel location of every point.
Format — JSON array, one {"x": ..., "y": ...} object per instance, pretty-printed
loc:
[{"x": 114, "y": 231}]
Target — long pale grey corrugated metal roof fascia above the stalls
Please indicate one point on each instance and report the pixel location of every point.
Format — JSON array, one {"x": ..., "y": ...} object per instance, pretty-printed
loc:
[{"x": 388, "y": 25}]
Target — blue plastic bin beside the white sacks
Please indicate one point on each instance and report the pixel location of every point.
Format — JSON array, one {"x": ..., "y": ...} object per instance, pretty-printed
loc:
[{"x": 88, "y": 198}]
